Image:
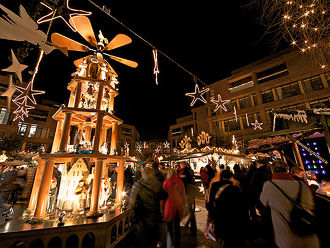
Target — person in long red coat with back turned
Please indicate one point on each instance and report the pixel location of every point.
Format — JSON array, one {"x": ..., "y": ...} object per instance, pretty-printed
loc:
[{"x": 174, "y": 207}]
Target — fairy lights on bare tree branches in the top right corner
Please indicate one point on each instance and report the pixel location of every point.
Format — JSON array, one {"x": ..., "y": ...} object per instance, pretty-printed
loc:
[{"x": 302, "y": 23}]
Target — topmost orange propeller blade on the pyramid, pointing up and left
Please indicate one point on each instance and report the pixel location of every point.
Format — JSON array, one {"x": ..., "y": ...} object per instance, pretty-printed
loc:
[{"x": 84, "y": 28}]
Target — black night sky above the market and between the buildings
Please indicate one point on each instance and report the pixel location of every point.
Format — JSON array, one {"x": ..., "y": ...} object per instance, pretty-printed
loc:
[{"x": 207, "y": 38}]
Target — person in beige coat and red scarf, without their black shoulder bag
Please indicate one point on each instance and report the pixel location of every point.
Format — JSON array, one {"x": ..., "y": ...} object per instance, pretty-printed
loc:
[{"x": 281, "y": 207}]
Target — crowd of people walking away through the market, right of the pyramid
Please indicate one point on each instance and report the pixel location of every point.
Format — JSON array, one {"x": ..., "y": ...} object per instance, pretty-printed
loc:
[{"x": 247, "y": 207}]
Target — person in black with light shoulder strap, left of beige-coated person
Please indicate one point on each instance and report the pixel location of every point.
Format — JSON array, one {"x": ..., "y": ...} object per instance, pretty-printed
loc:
[{"x": 229, "y": 212}]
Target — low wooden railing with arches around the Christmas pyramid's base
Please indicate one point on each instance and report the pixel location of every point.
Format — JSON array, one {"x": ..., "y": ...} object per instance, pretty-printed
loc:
[{"x": 103, "y": 233}]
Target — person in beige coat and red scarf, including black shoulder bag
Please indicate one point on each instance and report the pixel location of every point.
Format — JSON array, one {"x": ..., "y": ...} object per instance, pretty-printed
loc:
[{"x": 291, "y": 203}]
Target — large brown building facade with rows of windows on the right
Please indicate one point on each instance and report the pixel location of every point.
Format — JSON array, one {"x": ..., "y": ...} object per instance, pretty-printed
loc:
[{"x": 281, "y": 82}]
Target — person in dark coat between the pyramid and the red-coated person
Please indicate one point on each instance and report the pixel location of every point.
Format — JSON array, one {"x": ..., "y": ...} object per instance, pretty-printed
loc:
[{"x": 144, "y": 200}]
